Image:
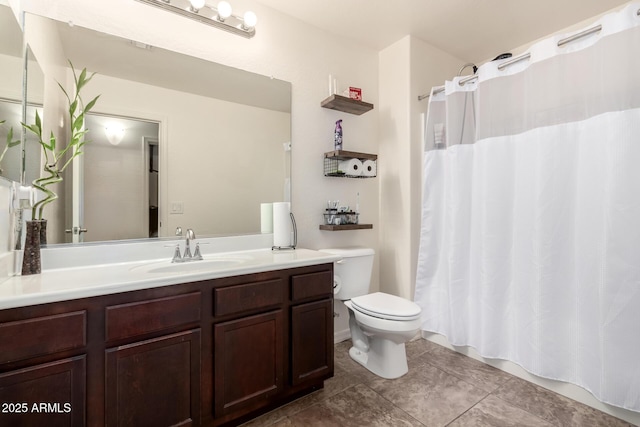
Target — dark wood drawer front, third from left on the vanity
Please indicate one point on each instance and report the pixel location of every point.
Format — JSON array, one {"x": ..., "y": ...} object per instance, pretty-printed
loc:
[{"x": 246, "y": 297}]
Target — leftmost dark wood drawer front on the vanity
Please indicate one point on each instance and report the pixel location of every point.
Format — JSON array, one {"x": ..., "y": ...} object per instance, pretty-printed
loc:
[{"x": 43, "y": 335}]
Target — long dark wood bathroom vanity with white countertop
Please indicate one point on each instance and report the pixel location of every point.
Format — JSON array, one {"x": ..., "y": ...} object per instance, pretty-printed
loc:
[{"x": 189, "y": 346}]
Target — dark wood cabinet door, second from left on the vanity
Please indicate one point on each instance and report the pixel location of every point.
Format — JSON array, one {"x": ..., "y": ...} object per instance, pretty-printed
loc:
[{"x": 154, "y": 382}]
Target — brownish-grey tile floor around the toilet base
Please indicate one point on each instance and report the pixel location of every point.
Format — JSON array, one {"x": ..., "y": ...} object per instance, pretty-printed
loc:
[{"x": 442, "y": 388}]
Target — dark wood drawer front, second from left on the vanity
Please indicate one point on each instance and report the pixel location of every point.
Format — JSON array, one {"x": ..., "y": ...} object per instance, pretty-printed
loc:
[{"x": 143, "y": 317}]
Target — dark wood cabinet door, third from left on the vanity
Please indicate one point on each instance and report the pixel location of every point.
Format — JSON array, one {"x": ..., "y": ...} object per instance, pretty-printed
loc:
[{"x": 248, "y": 362}]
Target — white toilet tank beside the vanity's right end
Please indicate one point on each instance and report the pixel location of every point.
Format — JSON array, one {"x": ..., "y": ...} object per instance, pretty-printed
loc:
[{"x": 352, "y": 274}]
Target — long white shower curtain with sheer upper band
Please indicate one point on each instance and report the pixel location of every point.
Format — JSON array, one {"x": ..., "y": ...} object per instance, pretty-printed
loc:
[{"x": 530, "y": 237}]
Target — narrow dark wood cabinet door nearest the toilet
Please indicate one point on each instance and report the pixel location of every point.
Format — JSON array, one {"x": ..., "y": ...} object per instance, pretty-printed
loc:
[{"x": 311, "y": 341}]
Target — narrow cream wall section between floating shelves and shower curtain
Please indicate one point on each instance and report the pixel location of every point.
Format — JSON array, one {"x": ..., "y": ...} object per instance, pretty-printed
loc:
[{"x": 408, "y": 68}]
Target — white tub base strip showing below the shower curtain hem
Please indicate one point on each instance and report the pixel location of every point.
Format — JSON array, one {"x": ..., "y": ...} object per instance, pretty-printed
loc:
[{"x": 571, "y": 391}]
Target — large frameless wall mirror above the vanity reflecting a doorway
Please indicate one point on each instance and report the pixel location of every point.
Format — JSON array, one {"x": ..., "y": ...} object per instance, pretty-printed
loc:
[{"x": 174, "y": 141}]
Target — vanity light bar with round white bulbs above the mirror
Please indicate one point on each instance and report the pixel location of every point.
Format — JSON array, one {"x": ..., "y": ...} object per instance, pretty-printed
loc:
[{"x": 220, "y": 16}]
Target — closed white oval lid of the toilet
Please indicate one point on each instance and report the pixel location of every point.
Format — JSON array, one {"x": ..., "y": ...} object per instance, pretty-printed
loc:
[{"x": 386, "y": 306}]
